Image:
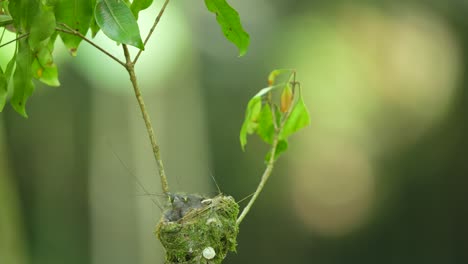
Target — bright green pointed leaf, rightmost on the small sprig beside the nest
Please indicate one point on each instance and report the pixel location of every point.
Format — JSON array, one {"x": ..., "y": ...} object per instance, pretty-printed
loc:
[{"x": 299, "y": 118}]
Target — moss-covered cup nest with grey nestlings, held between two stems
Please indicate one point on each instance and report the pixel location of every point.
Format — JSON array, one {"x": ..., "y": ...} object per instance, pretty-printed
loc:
[{"x": 195, "y": 229}]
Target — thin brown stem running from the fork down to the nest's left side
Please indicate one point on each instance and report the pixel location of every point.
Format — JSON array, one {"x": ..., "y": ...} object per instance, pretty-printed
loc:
[{"x": 129, "y": 65}]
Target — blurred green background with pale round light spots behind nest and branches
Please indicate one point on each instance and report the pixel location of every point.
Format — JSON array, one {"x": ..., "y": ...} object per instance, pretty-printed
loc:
[{"x": 379, "y": 177}]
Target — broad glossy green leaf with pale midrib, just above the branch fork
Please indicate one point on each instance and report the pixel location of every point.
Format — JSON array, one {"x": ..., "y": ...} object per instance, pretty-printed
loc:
[{"x": 118, "y": 23}]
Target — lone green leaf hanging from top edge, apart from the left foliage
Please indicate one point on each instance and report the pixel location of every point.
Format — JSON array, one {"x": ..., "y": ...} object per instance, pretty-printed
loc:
[{"x": 229, "y": 20}]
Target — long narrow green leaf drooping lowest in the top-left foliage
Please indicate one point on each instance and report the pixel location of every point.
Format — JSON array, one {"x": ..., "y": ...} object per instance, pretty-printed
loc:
[{"x": 23, "y": 85}]
